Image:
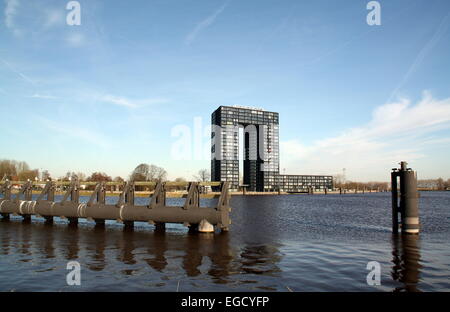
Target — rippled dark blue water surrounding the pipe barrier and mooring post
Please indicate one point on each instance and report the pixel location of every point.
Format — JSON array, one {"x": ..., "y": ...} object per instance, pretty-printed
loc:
[{"x": 276, "y": 243}]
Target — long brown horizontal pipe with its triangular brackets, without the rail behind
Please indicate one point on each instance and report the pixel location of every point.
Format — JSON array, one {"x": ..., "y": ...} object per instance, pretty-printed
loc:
[{"x": 155, "y": 213}]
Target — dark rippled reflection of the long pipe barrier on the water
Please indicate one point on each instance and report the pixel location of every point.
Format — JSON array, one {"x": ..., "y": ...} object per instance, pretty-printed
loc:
[{"x": 133, "y": 247}]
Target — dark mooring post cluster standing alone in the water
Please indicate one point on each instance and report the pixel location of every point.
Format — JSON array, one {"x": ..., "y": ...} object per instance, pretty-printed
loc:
[{"x": 406, "y": 213}]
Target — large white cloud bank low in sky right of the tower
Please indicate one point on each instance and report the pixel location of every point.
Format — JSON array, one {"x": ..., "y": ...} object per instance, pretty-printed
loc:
[{"x": 396, "y": 132}]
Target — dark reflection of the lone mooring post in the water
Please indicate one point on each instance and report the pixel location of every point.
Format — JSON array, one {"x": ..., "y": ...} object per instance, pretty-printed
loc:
[{"x": 406, "y": 258}]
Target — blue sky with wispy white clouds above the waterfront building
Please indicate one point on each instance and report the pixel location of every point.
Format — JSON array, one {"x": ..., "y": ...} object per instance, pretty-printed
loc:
[{"x": 114, "y": 91}]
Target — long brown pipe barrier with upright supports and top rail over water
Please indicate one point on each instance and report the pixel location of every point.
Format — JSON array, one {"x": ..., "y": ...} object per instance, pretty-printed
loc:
[{"x": 156, "y": 212}]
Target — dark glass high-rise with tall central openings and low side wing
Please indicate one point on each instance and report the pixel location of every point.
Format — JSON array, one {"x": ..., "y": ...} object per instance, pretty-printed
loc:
[{"x": 261, "y": 156}]
